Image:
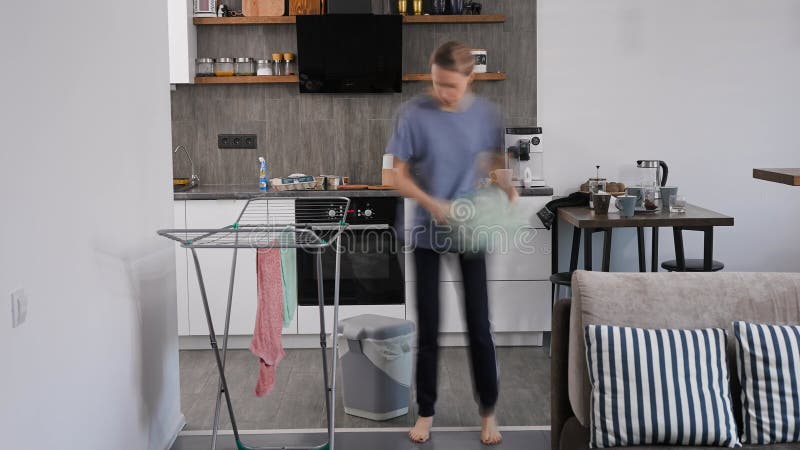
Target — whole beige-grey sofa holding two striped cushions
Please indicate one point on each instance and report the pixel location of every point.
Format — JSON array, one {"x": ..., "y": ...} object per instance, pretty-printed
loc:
[{"x": 655, "y": 300}]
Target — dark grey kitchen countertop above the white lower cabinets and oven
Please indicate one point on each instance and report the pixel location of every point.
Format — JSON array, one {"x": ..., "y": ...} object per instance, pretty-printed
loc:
[{"x": 247, "y": 191}]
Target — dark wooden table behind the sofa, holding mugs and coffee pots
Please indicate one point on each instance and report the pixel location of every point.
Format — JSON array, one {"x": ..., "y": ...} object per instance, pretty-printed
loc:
[{"x": 584, "y": 219}]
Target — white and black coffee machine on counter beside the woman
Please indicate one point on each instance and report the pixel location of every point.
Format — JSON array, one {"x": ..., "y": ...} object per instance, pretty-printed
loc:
[{"x": 525, "y": 156}]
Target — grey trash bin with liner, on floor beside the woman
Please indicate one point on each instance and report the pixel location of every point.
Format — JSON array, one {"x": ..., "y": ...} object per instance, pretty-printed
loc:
[{"x": 376, "y": 357}]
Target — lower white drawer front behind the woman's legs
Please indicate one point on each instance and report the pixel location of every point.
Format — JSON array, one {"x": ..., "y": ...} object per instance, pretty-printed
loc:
[{"x": 514, "y": 306}]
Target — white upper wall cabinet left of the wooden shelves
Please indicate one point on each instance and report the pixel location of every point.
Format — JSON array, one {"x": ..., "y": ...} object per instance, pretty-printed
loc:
[{"x": 182, "y": 41}]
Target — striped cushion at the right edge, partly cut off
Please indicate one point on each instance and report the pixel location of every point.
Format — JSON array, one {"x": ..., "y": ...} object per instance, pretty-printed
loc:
[{"x": 769, "y": 367}]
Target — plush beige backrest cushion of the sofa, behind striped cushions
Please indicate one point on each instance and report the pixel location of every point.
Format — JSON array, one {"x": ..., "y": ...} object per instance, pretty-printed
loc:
[{"x": 671, "y": 300}]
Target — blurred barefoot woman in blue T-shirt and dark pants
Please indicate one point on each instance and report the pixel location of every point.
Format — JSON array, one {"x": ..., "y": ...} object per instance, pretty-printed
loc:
[{"x": 444, "y": 138}]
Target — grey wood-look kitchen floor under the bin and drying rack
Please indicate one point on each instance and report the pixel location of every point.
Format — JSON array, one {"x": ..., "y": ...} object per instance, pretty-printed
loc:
[{"x": 297, "y": 400}]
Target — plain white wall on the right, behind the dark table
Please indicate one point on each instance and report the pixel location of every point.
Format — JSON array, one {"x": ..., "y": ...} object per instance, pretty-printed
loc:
[{"x": 710, "y": 86}]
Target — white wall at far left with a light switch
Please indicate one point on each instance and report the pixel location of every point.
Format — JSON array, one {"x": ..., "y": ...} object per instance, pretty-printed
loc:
[{"x": 84, "y": 184}]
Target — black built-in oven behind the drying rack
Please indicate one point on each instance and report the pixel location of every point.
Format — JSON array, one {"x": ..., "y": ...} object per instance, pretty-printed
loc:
[{"x": 371, "y": 266}]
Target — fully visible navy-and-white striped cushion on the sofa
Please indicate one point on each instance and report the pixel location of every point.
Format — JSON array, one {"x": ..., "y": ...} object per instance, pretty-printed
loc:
[{"x": 659, "y": 387}]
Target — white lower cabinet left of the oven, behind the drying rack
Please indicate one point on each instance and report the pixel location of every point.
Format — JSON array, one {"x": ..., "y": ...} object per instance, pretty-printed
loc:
[{"x": 216, "y": 266}]
